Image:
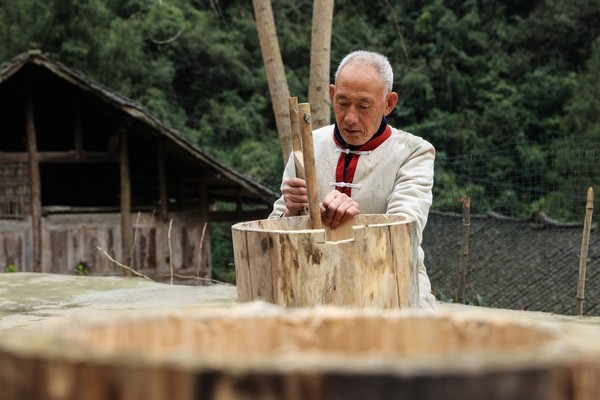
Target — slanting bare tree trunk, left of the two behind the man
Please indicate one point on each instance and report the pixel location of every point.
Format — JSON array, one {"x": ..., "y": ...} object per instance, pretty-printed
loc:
[{"x": 278, "y": 87}]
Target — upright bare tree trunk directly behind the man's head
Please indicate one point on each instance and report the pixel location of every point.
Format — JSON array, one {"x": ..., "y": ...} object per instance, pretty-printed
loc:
[{"x": 320, "y": 58}]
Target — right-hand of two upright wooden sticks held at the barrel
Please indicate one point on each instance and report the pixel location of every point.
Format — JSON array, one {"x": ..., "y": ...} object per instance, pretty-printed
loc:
[{"x": 309, "y": 166}]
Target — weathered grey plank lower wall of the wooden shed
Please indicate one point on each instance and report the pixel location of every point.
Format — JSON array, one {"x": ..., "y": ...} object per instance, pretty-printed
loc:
[{"x": 72, "y": 239}]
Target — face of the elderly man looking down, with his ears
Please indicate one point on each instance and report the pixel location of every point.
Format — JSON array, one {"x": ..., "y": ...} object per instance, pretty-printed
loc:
[{"x": 359, "y": 103}]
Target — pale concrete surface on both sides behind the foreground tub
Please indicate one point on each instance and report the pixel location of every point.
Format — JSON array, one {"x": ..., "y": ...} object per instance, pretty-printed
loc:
[{"x": 30, "y": 300}]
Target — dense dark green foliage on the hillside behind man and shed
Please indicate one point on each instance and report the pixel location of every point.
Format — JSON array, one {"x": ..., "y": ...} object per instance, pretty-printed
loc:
[{"x": 473, "y": 76}]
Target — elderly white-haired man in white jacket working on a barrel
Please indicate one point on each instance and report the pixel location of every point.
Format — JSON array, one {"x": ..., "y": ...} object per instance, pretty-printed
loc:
[{"x": 363, "y": 164}]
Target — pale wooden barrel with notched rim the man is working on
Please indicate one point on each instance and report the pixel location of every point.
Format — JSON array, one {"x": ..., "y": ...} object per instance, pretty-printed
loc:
[{"x": 284, "y": 262}]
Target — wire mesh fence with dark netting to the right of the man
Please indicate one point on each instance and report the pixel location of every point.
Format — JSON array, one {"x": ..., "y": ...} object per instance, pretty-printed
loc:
[{"x": 527, "y": 210}]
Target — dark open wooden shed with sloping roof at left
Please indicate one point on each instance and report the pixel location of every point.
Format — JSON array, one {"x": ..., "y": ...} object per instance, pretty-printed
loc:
[{"x": 87, "y": 175}]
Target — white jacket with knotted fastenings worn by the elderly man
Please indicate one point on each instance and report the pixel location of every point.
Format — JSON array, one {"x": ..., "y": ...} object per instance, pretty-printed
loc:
[{"x": 394, "y": 178}]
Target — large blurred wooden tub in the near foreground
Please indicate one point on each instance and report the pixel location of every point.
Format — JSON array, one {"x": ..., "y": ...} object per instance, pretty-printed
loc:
[{"x": 263, "y": 352}]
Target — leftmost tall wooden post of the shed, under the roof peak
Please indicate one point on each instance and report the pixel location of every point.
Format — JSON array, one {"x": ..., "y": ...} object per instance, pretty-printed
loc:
[{"x": 34, "y": 184}]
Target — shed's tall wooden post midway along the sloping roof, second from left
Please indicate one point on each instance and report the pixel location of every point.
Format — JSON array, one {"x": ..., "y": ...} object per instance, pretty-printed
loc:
[{"x": 126, "y": 249}]
